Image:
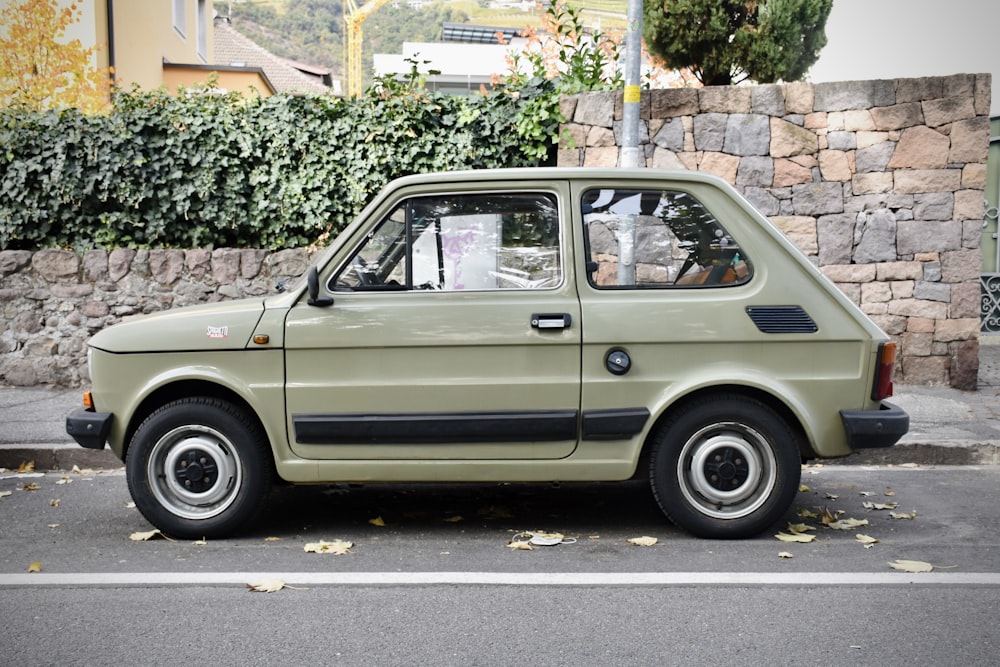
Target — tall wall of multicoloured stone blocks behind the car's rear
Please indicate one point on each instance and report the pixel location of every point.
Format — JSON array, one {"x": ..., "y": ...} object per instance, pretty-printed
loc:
[{"x": 880, "y": 183}]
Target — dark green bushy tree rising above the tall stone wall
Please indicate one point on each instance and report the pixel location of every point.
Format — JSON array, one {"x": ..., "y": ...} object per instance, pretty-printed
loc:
[{"x": 728, "y": 41}]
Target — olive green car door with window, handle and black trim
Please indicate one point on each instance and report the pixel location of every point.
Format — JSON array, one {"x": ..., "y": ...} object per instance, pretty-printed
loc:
[{"x": 454, "y": 334}]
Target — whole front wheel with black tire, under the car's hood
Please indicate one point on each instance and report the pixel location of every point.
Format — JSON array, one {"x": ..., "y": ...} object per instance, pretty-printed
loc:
[{"x": 224, "y": 448}]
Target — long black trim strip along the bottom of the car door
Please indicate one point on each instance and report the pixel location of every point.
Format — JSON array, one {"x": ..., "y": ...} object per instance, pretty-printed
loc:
[{"x": 427, "y": 428}]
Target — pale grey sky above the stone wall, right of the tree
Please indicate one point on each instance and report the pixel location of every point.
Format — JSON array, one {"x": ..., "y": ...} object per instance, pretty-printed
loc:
[{"x": 888, "y": 39}]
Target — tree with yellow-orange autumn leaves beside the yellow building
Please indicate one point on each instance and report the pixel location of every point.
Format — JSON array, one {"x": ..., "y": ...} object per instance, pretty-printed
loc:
[{"x": 38, "y": 69}]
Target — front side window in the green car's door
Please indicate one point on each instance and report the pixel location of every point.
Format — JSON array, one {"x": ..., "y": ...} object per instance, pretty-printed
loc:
[{"x": 460, "y": 242}]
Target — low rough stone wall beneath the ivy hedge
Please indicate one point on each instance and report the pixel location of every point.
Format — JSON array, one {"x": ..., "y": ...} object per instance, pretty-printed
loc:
[{"x": 54, "y": 300}]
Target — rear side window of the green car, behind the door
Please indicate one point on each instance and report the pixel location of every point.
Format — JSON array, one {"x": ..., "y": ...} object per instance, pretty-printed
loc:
[{"x": 657, "y": 239}]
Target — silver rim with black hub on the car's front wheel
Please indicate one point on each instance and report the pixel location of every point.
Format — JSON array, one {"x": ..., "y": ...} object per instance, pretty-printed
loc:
[{"x": 194, "y": 472}]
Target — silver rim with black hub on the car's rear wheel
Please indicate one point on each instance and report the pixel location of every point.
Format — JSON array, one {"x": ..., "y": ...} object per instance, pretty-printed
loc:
[{"x": 727, "y": 470}]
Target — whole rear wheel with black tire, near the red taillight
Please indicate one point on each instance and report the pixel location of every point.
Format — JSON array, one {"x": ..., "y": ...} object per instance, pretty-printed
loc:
[{"x": 725, "y": 467}]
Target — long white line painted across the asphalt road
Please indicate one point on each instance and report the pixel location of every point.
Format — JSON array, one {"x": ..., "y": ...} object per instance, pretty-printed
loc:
[{"x": 146, "y": 579}]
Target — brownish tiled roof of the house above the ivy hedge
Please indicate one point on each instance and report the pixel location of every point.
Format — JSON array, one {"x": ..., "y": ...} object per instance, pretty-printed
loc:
[{"x": 232, "y": 48}]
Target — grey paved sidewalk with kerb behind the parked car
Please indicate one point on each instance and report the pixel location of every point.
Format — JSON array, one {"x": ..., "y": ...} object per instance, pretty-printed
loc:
[{"x": 947, "y": 426}]
